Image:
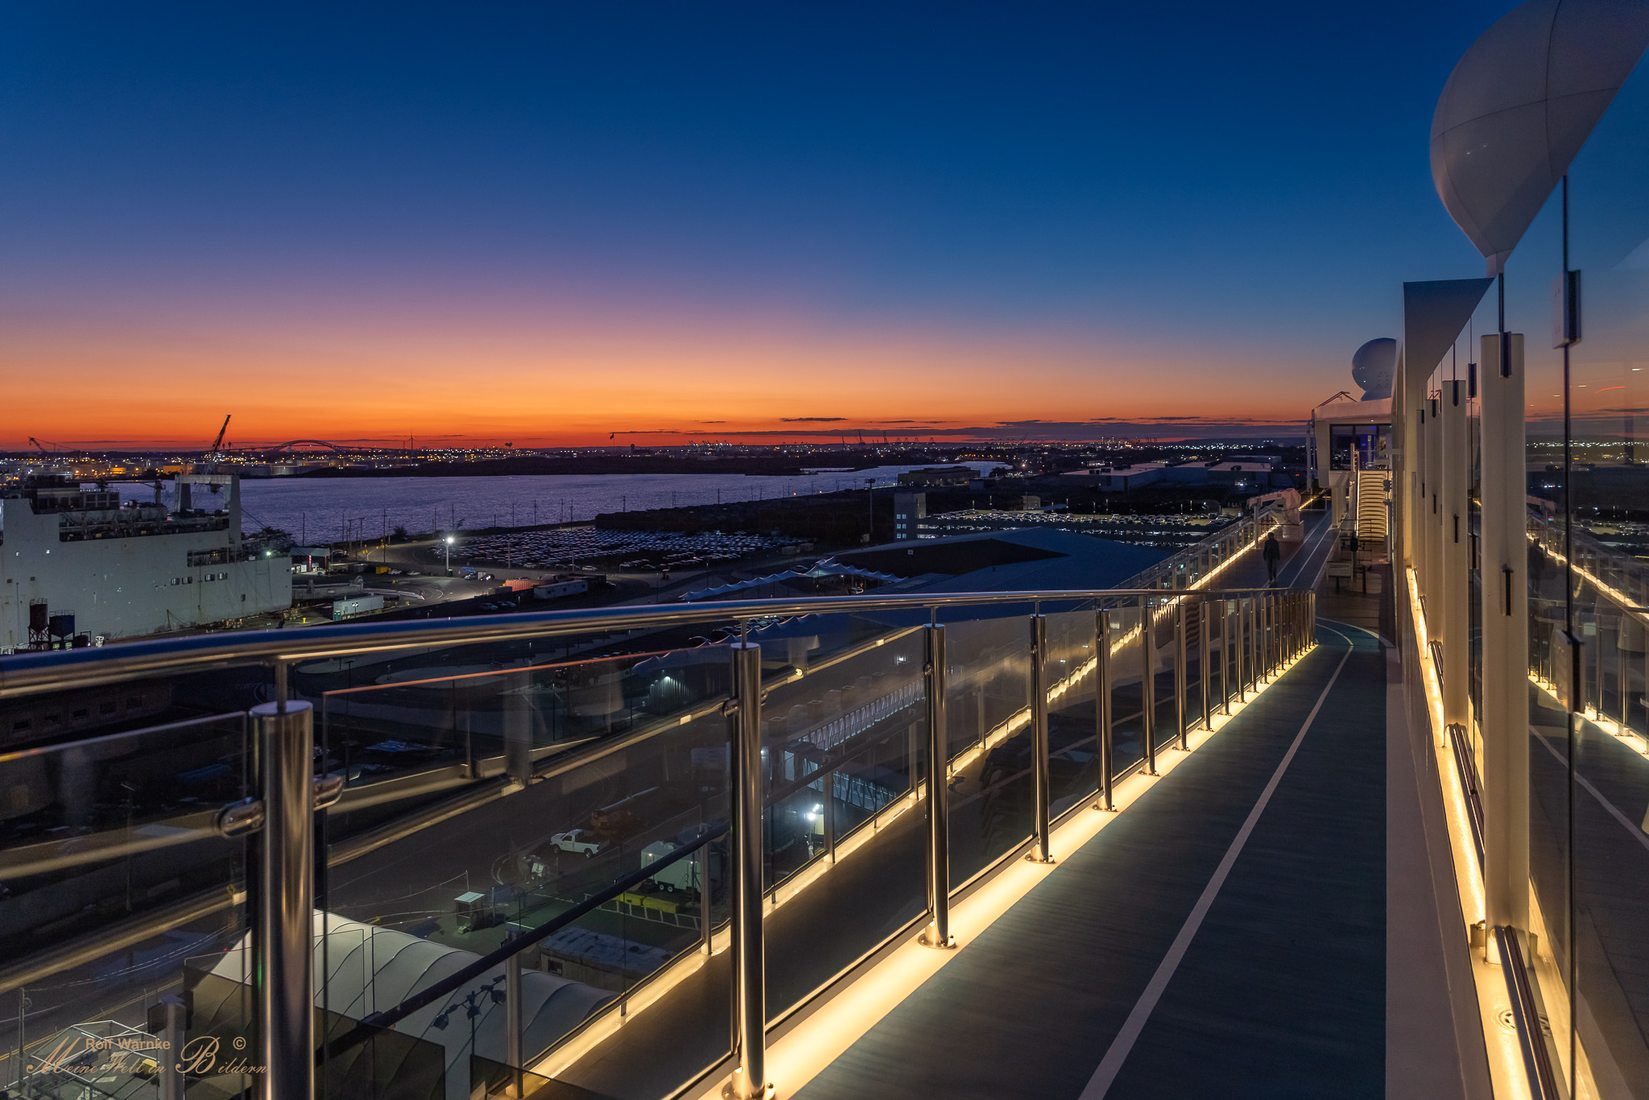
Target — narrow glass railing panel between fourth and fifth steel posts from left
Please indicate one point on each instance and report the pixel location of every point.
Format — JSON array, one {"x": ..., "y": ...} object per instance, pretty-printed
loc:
[{"x": 1073, "y": 728}]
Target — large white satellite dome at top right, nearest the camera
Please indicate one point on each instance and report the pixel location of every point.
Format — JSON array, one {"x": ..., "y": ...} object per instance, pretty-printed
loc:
[{"x": 1520, "y": 106}]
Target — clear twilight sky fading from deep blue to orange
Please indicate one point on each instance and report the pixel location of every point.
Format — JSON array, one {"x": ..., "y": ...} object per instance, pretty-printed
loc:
[{"x": 560, "y": 225}]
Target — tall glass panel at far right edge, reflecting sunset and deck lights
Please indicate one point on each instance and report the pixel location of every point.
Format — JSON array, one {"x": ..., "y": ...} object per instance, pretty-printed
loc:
[{"x": 1609, "y": 517}]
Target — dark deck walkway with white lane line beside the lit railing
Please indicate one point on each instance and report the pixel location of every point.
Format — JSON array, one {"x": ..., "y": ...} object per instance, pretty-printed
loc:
[{"x": 1117, "y": 974}]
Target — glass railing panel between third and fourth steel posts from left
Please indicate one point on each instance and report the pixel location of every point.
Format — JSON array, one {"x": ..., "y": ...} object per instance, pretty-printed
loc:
[{"x": 992, "y": 783}]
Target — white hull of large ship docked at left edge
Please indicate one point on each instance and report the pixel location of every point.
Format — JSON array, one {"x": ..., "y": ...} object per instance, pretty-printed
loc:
[{"x": 128, "y": 586}]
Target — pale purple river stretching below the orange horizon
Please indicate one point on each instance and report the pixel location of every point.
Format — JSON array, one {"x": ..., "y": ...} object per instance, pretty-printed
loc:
[{"x": 322, "y": 510}]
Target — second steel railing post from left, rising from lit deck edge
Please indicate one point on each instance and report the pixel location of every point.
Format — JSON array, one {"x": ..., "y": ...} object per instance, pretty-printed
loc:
[{"x": 749, "y": 979}]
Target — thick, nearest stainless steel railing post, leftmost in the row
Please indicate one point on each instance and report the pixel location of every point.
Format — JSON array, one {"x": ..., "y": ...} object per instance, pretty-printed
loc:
[{"x": 286, "y": 900}]
